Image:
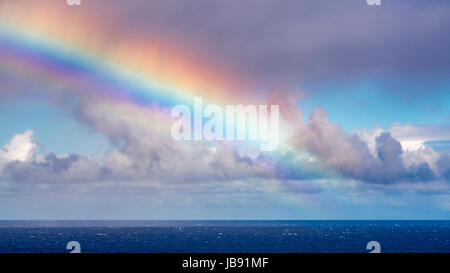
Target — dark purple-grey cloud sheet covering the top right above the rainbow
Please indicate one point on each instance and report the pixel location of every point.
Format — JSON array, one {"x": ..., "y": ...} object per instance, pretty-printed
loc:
[{"x": 278, "y": 42}]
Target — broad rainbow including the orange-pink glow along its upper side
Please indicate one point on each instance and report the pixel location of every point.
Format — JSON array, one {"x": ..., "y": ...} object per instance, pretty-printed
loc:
[{"x": 37, "y": 47}]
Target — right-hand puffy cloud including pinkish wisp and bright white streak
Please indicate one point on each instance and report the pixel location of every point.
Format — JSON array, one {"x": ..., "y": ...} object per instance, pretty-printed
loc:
[{"x": 374, "y": 156}]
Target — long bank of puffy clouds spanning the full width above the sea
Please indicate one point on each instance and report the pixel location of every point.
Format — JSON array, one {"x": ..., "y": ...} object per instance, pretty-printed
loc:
[{"x": 143, "y": 152}]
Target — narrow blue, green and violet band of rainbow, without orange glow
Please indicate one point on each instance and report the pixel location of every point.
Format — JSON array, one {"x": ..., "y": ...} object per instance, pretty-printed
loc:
[{"x": 50, "y": 60}]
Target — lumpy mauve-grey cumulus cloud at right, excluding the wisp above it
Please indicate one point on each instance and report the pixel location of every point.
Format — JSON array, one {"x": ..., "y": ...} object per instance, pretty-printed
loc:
[{"x": 351, "y": 157}]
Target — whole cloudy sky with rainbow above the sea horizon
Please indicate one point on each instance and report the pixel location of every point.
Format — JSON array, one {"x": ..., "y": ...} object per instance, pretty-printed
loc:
[{"x": 86, "y": 94}]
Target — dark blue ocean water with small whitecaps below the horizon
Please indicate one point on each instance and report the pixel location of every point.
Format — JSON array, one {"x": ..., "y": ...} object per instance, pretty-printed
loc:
[{"x": 224, "y": 236}]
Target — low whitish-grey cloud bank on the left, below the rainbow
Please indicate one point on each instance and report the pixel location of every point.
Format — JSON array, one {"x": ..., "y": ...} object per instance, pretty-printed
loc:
[{"x": 140, "y": 156}]
